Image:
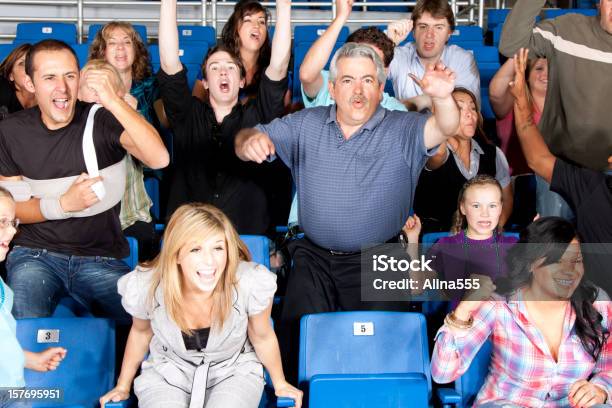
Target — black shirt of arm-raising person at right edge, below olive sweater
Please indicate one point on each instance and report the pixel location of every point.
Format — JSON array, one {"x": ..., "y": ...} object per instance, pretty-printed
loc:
[{"x": 589, "y": 194}]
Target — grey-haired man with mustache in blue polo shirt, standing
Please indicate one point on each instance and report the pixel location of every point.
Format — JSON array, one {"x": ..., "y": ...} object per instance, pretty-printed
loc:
[{"x": 356, "y": 166}]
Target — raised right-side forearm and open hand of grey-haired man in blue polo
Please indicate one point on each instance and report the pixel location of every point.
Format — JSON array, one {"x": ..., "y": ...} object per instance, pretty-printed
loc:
[{"x": 438, "y": 83}]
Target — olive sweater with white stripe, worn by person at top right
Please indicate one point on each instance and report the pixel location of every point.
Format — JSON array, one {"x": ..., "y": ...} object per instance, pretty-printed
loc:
[{"x": 576, "y": 121}]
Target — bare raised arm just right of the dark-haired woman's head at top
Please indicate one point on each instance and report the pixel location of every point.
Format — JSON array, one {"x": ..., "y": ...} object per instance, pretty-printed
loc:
[{"x": 281, "y": 43}]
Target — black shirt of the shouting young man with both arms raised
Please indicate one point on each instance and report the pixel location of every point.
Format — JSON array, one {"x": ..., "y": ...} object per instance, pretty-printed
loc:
[{"x": 206, "y": 166}]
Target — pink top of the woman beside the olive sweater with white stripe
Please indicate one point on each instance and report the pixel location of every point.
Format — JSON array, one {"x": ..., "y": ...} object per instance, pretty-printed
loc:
[{"x": 510, "y": 145}]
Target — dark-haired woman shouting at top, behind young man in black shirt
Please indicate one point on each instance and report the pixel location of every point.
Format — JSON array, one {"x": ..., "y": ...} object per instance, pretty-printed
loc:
[{"x": 246, "y": 35}]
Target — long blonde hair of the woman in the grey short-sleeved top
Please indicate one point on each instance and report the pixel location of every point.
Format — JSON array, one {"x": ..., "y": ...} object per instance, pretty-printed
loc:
[{"x": 189, "y": 222}]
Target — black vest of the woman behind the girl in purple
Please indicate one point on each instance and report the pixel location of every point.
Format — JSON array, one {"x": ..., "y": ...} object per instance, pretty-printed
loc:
[{"x": 436, "y": 194}]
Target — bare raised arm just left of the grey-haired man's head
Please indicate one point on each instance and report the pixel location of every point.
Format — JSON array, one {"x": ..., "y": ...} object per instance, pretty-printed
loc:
[{"x": 318, "y": 54}]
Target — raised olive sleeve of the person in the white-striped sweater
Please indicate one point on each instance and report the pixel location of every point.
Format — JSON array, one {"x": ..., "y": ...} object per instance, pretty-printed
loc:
[{"x": 520, "y": 30}]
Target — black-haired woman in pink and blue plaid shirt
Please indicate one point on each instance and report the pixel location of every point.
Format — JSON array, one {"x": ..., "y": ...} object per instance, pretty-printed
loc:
[{"x": 550, "y": 336}]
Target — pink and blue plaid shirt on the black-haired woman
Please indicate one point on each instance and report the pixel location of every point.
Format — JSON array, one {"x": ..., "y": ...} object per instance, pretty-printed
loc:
[{"x": 522, "y": 370}]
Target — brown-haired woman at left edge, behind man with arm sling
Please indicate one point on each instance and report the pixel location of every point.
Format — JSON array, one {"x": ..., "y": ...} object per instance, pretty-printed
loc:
[{"x": 13, "y": 94}]
